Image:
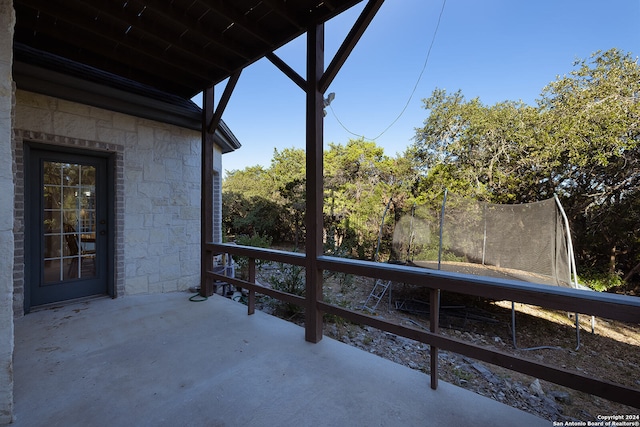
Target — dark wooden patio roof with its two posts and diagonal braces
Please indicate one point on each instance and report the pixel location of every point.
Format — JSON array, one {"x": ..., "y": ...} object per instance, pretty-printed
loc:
[{"x": 185, "y": 47}]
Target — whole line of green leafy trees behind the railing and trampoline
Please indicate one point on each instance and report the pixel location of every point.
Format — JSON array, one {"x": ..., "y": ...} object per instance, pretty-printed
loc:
[{"x": 580, "y": 141}]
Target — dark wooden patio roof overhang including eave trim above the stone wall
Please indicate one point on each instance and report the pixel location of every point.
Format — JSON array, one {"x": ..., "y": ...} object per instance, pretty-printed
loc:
[{"x": 149, "y": 58}]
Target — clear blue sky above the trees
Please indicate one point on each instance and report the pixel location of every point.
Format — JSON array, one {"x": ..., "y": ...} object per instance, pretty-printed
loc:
[{"x": 492, "y": 49}]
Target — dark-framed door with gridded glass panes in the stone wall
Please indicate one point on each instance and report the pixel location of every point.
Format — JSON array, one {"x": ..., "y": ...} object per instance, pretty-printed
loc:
[{"x": 67, "y": 242}]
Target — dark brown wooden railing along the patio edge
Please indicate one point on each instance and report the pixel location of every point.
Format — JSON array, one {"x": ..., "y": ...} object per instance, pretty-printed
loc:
[{"x": 610, "y": 306}]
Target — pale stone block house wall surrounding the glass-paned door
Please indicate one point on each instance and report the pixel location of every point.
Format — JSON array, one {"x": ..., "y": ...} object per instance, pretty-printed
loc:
[{"x": 157, "y": 188}]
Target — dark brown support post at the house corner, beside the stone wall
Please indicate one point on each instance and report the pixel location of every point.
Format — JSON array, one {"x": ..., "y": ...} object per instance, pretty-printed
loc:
[{"x": 206, "y": 199}]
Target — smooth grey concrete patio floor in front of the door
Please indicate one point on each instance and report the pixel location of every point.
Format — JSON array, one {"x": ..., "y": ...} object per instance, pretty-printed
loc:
[{"x": 161, "y": 360}]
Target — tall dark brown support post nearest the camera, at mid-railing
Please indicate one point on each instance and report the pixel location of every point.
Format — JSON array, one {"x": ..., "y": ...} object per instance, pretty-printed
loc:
[{"x": 314, "y": 148}]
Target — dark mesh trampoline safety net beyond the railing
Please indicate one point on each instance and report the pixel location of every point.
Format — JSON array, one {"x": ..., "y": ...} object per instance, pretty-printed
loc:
[{"x": 529, "y": 242}]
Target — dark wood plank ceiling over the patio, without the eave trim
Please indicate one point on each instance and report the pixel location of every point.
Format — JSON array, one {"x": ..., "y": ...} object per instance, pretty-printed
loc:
[{"x": 180, "y": 47}]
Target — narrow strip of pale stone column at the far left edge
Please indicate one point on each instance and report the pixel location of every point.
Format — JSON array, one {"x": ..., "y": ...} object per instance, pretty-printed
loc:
[{"x": 7, "y": 21}]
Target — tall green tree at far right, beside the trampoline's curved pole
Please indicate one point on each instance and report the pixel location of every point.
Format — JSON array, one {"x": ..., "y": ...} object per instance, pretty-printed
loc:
[{"x": 592, "y": 119}]
